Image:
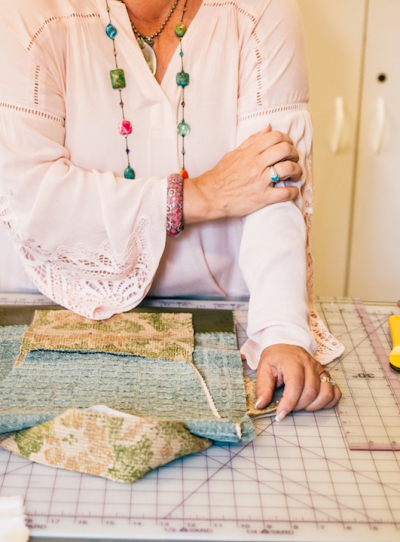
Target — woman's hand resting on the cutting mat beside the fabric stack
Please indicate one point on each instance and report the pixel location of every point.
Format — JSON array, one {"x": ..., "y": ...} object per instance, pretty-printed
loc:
[{"x": 293, "y": 366}]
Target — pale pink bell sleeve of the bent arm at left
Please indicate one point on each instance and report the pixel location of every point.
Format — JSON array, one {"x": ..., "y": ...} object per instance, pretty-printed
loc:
[{"x": 89, "y": 240}]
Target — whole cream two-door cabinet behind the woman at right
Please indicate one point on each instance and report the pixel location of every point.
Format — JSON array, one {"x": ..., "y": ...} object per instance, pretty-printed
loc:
[{"x": 356, "y": 116}]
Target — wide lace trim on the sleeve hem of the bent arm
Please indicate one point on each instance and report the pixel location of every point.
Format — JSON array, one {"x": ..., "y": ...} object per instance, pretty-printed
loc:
[{"x": 95, "y": 283}]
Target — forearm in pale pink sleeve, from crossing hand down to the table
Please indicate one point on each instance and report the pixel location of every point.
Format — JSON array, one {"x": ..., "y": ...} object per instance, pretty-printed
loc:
[{"x": 273, "y": 262}]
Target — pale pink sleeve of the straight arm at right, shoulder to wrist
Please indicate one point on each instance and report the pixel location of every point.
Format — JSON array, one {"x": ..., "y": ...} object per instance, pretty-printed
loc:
[{"x": 274, "y": 89}]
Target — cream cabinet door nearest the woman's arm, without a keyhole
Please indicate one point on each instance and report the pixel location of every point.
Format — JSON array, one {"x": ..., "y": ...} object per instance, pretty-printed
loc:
[{"x": 334, "y": 32}]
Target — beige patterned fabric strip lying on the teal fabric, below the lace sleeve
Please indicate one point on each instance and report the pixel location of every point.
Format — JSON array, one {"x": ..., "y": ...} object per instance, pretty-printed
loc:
[{"x": 155, "y": 335}]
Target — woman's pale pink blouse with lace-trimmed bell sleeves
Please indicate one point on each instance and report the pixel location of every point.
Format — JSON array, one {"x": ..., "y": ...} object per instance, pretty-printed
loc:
[{"x": 95, "y": 242}]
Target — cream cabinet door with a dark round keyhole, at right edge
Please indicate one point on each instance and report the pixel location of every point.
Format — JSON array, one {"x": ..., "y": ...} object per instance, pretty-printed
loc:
[{"x": 375, "y": 248}]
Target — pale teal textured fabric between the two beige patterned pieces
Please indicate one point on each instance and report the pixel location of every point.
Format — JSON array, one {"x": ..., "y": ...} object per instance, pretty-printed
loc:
[{"x": 49, "y": 382}]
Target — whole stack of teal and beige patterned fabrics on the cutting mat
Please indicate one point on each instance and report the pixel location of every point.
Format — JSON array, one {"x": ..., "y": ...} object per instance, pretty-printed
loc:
[{"x": 120, "y": 397}]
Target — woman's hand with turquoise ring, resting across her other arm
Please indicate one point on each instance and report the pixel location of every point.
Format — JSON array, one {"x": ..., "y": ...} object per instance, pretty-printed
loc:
[{"x": 240, "y": 183}]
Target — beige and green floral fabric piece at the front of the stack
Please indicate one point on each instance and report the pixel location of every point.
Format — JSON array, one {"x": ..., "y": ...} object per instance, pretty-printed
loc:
[{"x": 105, "y": 443}]
